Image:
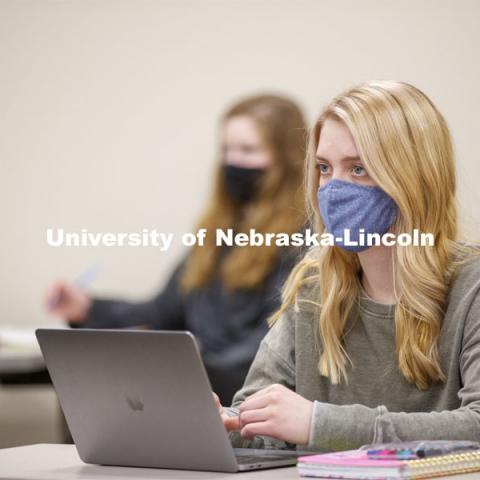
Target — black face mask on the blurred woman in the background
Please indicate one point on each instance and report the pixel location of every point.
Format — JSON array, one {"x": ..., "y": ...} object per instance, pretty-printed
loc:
[{"x": 241, "y": 183}]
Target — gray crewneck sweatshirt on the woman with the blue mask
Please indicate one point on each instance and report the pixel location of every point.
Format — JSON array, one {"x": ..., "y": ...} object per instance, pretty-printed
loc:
[{"x": 377, "y": 404}]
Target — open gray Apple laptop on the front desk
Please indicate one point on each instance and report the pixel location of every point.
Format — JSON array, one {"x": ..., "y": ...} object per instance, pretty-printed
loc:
[{"x": 143, "y": 399}]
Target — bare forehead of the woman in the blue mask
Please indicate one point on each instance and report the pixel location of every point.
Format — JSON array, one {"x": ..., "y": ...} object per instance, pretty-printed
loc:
[{"x": 335, "y": 141}]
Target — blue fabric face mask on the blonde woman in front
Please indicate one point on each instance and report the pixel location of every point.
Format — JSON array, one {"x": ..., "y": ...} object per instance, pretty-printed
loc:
[{"x": 349, "y": 206}]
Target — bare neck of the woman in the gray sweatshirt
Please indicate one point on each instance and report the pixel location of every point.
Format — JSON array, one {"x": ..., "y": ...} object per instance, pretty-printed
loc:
[{"x": 377, "y": 277}]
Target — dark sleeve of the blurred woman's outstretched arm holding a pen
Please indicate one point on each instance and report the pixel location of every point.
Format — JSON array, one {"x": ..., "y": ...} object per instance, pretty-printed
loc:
[{"x": 164, "y": 311}]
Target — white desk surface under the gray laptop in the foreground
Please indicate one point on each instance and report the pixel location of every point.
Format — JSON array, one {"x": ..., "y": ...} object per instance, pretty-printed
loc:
[{"x": 55, "y": 462}]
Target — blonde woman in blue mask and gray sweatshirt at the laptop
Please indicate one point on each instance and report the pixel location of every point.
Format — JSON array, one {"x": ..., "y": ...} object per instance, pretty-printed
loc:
[{"x": 382, "y": 343}]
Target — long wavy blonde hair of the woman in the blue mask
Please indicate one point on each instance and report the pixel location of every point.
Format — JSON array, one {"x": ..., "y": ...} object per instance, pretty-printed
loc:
[{"x": 405, "y": 145}]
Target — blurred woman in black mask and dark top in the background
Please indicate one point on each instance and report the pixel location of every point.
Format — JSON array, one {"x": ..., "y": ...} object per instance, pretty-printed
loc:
[{"x": 224, "y": 295}]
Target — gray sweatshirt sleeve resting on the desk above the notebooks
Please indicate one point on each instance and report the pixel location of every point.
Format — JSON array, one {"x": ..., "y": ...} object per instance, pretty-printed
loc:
[{"x": 349, "y": 426}]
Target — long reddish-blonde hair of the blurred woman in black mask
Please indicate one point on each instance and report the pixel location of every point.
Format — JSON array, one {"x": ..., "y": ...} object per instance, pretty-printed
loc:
[{"x": 278, "y": 207}]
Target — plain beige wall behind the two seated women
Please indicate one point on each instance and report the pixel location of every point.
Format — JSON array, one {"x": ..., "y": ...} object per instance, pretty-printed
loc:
[{"x": 109, "y": 109}]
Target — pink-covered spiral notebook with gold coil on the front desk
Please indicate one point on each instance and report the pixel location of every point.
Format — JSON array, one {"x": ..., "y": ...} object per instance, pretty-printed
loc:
[{"x": 356, "y": 464}]
